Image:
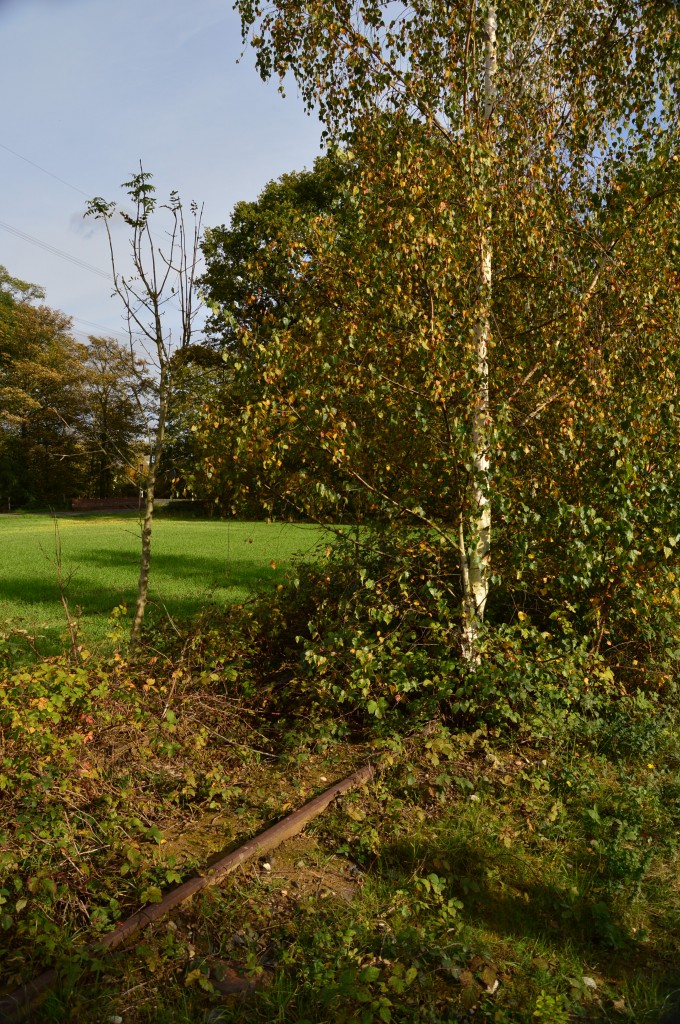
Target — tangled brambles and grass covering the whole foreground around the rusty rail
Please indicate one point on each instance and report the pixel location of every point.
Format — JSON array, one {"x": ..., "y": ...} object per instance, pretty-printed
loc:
[{"x": 515, "y": 861}]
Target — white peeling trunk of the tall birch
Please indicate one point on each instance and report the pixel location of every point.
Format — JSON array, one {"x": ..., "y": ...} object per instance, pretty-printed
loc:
[{"x": 476, "y": 559}]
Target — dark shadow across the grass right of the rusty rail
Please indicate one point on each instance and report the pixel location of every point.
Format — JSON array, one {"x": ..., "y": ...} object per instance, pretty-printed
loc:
[{"x": 504, "y": 897}]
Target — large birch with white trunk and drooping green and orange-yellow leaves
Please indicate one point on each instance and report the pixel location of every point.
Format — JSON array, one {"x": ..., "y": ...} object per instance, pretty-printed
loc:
[{"x": 482, "y": 315}]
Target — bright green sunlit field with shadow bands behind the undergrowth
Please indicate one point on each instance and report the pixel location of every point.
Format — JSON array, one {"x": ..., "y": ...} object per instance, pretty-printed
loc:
[{"x": 194, "y": 563}]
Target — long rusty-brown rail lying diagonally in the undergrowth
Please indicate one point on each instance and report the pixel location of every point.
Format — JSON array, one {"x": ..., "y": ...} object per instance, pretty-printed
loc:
[{"x": 17, "y": 1007}]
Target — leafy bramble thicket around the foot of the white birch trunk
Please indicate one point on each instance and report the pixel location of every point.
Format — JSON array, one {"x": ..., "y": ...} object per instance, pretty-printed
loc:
[{"x": 377, "y": 648}]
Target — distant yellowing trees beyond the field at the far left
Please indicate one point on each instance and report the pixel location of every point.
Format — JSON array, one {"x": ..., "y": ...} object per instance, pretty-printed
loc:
[{"x": 72, "y": 416}]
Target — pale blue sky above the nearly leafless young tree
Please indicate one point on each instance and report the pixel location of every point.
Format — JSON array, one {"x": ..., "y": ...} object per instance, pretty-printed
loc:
[{"x": 90, "y": 89}]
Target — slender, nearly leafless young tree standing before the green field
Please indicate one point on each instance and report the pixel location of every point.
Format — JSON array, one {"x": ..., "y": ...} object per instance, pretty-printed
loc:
[{"x": 157, "y": 294}]
